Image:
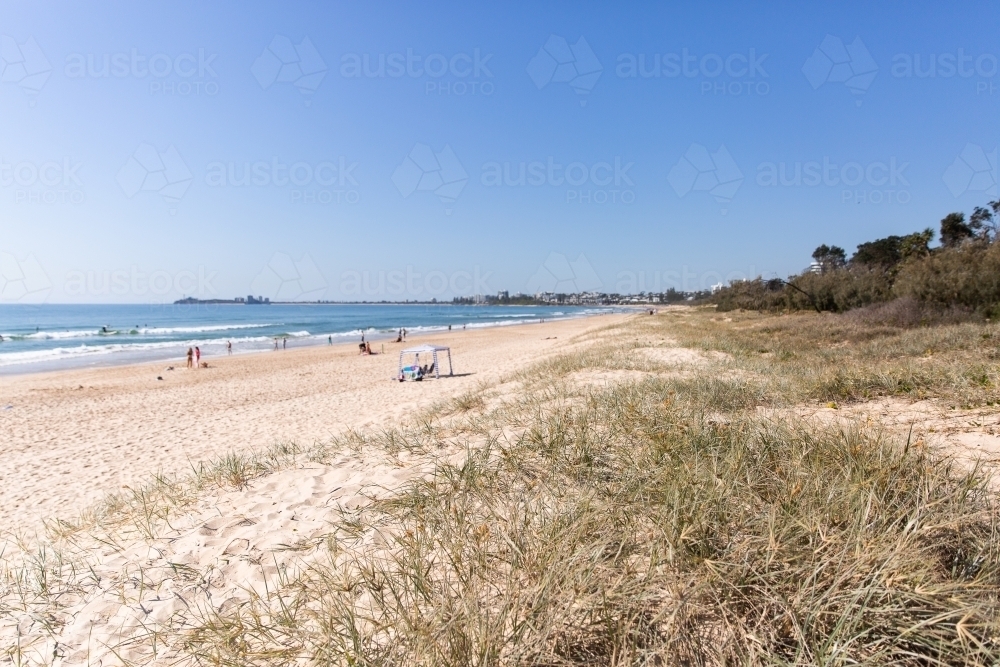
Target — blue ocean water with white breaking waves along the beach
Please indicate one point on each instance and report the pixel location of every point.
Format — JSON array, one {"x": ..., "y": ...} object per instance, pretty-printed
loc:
[{"x": 50, "y": 337}]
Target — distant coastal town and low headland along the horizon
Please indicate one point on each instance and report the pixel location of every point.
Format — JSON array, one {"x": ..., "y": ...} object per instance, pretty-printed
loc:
[{"x": 502, "y": 298}]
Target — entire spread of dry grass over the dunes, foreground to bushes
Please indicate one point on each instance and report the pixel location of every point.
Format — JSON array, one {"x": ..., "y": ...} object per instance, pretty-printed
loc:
[{"x": 656, "y": 522}]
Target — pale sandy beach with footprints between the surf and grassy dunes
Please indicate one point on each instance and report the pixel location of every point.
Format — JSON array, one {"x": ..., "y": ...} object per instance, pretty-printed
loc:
[{"x": 68, "y": 438}]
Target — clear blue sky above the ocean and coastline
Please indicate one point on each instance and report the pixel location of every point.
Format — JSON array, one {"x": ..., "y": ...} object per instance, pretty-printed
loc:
[{"x": 121, "y": 122}]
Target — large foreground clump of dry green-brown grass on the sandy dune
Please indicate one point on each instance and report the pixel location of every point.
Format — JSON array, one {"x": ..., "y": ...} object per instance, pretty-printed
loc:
[{"x": 629, "y": 530}]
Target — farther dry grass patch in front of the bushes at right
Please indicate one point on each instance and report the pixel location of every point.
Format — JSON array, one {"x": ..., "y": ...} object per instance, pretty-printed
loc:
[{"x": 836, "y": 357}]
